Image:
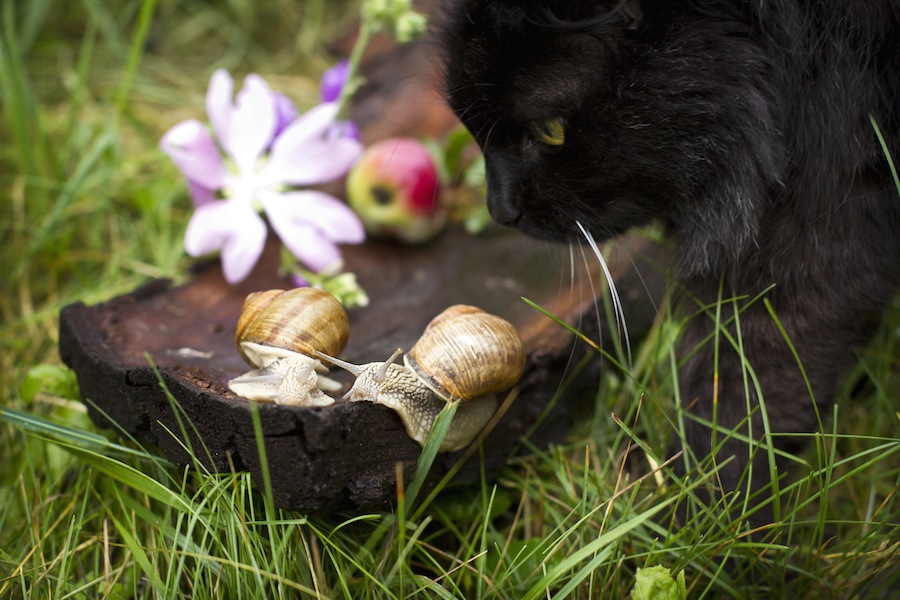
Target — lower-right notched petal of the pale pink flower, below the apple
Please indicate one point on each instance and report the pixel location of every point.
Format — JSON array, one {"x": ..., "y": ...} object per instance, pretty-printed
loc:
[{"x": 310, "y": 223}]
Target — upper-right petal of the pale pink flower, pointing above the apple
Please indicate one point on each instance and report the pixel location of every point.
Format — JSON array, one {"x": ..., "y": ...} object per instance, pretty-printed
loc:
[{"x": 305, "y": 154}]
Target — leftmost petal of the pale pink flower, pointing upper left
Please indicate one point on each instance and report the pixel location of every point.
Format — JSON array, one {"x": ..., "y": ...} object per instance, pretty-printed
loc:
[{"x": 194, "y": 152}]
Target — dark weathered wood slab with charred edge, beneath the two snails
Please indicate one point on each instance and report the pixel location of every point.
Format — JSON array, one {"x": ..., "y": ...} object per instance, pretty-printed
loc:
[{"x": 343, "y": 458}]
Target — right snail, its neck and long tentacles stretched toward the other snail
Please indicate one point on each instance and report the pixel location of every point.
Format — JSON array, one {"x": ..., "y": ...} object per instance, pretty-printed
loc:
[{"x": 464, "y": 354}]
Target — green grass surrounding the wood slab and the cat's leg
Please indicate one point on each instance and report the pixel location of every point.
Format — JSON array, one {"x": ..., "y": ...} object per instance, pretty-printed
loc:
[{"x": 91, "y": 209}]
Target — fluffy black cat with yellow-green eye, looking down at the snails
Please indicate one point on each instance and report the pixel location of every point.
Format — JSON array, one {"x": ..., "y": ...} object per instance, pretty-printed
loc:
[{"x": 748, "y": 128}]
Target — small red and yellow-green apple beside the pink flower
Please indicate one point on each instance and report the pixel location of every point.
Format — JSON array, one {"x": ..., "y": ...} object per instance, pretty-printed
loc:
[{"x": 395, "y": 191}]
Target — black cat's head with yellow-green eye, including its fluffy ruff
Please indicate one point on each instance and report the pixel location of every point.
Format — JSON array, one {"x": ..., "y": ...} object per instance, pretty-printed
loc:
[{"x": 612, "y": 114}]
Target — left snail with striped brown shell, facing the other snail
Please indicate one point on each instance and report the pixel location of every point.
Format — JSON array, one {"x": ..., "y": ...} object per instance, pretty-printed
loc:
[{"x": 278, "y": 334}]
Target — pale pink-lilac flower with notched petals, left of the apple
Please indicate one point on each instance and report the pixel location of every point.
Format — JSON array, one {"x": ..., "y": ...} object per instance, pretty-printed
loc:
[{"x": 230, "y": 191}]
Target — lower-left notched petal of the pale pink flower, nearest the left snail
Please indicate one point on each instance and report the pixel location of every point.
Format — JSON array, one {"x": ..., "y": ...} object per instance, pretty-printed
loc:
[{"x": 237, "y": 232}]
